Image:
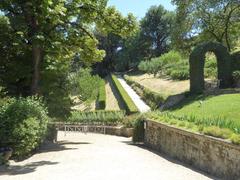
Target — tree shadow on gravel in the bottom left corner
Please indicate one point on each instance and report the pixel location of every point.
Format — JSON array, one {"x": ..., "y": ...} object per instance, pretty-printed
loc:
[{"x": 23, "y": 169}]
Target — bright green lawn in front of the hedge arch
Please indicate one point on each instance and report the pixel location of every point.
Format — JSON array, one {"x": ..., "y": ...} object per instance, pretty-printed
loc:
[{"x": 222, "y": 106}]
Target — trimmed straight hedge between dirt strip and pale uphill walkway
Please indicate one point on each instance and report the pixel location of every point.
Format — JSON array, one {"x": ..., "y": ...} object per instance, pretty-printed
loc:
[{"x": 128, "y": 103}]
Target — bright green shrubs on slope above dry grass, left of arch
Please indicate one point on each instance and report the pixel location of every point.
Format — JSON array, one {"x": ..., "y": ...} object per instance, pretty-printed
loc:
[{"x": 171, "y": 64}]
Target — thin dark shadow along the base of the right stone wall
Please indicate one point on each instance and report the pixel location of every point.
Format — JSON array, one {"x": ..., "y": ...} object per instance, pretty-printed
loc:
[{"x": 168, "y": 158}]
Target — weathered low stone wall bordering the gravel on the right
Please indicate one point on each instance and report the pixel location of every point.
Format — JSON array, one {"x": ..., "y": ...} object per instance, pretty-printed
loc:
[{"x": 212, "y": 155}]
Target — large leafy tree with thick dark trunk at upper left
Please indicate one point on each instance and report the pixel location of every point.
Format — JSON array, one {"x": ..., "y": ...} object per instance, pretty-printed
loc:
[{"x": 52, "y": 31}]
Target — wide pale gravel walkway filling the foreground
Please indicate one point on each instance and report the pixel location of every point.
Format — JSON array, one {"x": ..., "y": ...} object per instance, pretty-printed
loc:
[{"x": 97, "y": 157}]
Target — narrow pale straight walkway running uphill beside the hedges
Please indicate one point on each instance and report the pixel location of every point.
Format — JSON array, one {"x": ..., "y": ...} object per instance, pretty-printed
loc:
[{"x": 141, "y": 105}]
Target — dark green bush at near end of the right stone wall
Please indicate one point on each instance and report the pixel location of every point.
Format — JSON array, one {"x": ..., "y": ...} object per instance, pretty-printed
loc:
[{"x": 138, "y": 131}]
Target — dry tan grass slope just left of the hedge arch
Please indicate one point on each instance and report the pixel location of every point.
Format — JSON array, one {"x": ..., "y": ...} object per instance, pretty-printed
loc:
[{"x": 163, "y": 86}]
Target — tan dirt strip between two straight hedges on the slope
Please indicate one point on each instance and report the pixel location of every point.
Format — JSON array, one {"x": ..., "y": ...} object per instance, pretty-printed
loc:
[{"x": 113, "y": 101}]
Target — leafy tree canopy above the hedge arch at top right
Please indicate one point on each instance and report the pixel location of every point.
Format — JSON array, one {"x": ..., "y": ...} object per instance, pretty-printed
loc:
[{"x": 216, "y": 20}]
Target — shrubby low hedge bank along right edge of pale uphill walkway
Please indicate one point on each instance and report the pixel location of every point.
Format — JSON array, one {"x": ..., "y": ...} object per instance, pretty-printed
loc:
[{"x": 153, "y": 99}]
